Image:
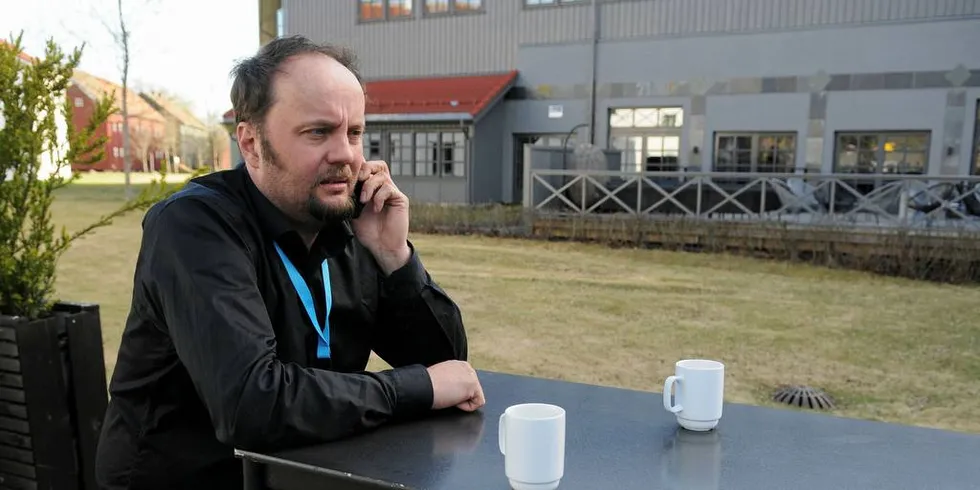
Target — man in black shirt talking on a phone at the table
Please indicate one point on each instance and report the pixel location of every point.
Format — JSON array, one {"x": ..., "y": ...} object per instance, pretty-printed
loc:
[{"x": 258, "y": 299}]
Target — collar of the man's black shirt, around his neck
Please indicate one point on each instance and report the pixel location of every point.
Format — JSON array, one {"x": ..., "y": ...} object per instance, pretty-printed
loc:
[{"x": 276, "y": 226}]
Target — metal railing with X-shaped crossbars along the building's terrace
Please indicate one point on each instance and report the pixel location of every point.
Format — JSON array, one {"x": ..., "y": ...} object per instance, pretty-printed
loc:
[{"x": 940, "y": 203}]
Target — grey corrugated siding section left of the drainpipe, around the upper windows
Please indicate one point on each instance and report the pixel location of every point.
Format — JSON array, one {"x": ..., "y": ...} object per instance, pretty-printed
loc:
[{"x": 477, "y": 43}]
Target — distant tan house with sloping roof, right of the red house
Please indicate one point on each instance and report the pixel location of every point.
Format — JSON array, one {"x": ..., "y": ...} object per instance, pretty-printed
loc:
[{"x": 187, "y": 143}]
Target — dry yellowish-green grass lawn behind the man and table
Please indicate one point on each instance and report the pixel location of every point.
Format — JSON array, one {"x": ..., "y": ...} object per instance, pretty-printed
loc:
[{"x": 886, "y": 349}]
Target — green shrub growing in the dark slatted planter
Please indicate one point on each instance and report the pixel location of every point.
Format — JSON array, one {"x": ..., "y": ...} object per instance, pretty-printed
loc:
[{"x": 37, "y": 142}]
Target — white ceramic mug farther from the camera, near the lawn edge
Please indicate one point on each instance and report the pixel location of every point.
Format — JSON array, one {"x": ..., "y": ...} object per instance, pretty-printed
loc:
[{"x": 699, "y": 392}]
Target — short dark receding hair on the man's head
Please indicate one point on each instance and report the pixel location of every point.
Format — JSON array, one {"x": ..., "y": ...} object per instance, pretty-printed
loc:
[{"x": 251, "y": 92}]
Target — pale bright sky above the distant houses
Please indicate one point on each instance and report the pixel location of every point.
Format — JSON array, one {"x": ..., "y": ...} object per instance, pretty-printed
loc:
[{"x": 186, "y": 47}]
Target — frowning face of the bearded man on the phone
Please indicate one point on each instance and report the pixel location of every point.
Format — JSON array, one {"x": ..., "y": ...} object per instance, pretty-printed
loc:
[{"x": 309, "y": 147}]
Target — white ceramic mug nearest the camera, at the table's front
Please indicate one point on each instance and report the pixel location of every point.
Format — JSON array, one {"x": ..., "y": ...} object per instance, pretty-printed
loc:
[{"x": 532, "y": 440}]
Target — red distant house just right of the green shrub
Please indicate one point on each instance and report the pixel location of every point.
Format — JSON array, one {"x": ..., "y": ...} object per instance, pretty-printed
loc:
[{"x": 147, "y": 127}]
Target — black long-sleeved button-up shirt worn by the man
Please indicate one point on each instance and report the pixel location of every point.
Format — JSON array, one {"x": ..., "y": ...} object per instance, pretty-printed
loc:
[{"x": 218, "y": 351}]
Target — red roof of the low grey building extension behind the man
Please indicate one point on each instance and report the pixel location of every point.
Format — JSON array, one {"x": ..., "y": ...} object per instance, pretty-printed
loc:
[{"x": 463, "y": 94}]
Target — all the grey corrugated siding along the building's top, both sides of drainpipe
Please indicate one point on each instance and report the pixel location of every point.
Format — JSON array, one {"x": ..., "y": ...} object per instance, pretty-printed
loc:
[{"x": 488, "y": 42}]
